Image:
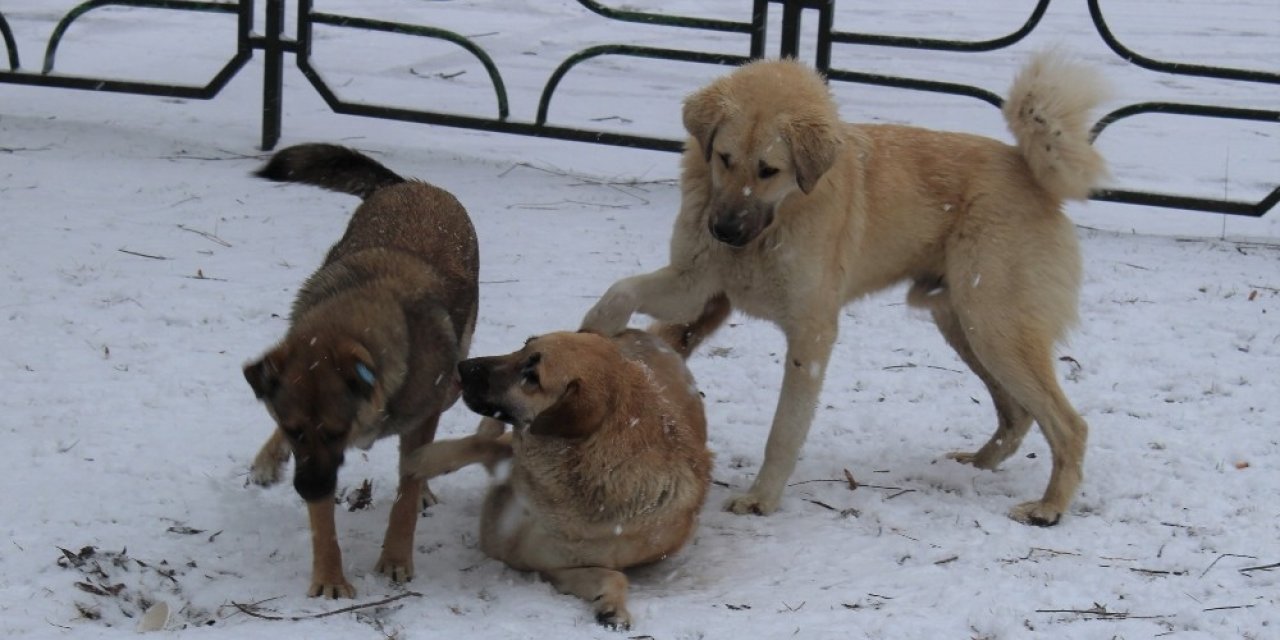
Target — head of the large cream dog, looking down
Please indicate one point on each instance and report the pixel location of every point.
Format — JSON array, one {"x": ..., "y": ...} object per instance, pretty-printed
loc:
[{"x": 766, "y": 130}]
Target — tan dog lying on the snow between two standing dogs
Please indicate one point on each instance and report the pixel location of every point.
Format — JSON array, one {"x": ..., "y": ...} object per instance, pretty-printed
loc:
[{"x": 610, "y": 455}]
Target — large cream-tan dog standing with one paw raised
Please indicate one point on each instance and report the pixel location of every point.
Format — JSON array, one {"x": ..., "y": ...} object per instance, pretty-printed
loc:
[{"x": 794, "y": 214}]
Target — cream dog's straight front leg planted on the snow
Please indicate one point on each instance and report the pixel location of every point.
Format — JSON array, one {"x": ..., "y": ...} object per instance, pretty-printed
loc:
[{"x": 808, "y": 353}]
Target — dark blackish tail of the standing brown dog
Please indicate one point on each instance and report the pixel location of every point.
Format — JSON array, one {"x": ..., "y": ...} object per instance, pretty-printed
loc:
[{"x": 330, "y": 167}]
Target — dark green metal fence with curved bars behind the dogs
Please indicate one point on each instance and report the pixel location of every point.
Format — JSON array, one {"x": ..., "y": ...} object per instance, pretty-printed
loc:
[{"x": 276, "y": 45}]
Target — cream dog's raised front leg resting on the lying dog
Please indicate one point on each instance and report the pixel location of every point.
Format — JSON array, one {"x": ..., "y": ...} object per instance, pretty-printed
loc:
[{"x": 670, "y": 295}]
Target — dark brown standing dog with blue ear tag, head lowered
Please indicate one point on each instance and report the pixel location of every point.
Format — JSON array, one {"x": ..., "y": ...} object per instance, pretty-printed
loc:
[{"x": 374, "y": 337}]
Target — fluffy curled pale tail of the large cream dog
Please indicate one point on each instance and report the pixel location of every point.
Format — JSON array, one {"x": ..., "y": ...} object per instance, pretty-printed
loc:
[{"x": 1048, "y": 112}]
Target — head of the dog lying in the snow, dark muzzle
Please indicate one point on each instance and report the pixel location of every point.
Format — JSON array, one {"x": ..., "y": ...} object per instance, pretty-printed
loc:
[{"x": 560, "y": 385}]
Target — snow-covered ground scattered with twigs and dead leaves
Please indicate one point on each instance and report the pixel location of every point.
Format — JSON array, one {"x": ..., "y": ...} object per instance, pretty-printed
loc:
[{"x": 143, "y": 267}]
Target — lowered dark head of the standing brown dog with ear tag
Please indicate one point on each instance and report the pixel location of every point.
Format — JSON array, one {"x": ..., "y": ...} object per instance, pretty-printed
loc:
[{"x": 318, "y": 390}]
